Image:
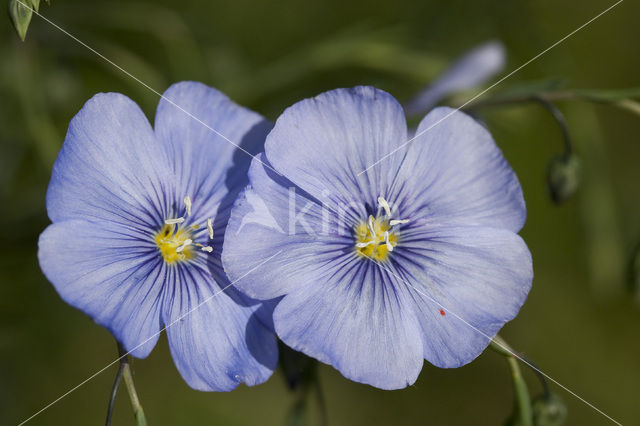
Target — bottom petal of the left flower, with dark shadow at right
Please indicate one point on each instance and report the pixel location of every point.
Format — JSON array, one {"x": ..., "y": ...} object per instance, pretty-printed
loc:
[{"x": 216, "y": 343}]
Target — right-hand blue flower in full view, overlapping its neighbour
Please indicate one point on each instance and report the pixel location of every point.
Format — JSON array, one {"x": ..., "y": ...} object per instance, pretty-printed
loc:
[{"x": 416, "y": 258}]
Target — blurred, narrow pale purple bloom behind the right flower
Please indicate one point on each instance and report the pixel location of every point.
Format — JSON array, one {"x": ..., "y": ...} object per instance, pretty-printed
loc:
[{"x": 470, "y": 70}]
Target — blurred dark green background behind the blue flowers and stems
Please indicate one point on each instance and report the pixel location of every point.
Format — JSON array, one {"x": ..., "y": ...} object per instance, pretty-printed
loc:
[{"x": 581, "y": 323}]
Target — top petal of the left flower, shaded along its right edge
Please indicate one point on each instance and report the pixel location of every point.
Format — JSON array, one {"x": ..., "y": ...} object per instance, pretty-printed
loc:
[{"x": 210, "y": 141}]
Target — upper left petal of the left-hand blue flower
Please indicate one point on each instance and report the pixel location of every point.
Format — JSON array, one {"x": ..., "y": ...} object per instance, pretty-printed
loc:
[{"x": 110, "y": 167}]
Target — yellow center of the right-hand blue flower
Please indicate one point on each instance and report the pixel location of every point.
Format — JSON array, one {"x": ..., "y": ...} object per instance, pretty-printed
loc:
[{"x": 375, "y": 238}]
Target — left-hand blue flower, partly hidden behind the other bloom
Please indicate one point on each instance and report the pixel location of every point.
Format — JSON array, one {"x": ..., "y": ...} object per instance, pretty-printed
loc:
[{"x": 139, "y": 217}]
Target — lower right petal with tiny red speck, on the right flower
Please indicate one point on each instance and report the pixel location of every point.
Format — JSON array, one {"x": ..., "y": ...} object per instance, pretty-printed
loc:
[{"x": 466, "y": 283}]
